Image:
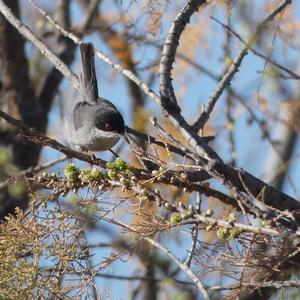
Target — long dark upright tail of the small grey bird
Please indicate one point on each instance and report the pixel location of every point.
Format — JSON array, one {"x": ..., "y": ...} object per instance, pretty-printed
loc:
[{"x": 88, "y": 79}]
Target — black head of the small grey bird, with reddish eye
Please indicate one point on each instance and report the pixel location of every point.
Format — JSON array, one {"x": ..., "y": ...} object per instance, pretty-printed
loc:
[{"x": 110, "y": 120}]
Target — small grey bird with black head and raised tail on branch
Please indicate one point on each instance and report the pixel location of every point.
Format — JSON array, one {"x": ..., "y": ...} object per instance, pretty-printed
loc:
[{"x": 95, "y": 123}]
